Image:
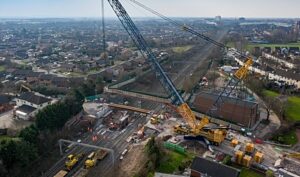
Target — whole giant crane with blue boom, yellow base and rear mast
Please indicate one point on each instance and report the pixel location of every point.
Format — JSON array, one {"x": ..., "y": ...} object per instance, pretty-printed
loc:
[{"x": 193, "y": 127}]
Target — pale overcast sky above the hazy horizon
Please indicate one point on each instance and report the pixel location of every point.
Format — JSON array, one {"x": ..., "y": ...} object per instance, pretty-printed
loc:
[{"x": 172, "y": 8}]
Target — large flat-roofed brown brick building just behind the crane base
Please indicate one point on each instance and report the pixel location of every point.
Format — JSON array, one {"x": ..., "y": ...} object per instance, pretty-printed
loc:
[{"x": 234, "y": 110}]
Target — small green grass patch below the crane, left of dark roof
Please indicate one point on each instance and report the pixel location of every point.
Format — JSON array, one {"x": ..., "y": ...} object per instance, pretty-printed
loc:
[{"x": 172, "y": 161}]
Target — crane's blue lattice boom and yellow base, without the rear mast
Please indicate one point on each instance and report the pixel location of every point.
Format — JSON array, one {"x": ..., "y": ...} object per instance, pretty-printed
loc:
[{"x": 216, "y": 136}]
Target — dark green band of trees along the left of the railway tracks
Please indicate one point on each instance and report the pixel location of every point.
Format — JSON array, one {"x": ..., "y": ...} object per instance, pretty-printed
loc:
[{"x": 18, "y": 153}]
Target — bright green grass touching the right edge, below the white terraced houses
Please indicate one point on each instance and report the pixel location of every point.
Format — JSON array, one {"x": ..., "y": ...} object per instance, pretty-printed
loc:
[{"x": 293, "y": 108}]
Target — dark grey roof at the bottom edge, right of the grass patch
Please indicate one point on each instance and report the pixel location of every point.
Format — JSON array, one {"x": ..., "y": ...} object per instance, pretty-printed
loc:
[{"x": 213, "y": 169}]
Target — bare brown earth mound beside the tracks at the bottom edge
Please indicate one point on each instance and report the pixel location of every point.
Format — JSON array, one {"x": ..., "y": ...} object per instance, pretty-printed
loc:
[{"x": 133, "y": 162}]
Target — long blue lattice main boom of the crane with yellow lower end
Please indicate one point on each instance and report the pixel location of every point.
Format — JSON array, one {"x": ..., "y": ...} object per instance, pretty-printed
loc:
[{"x": 182, "y": 107}]
